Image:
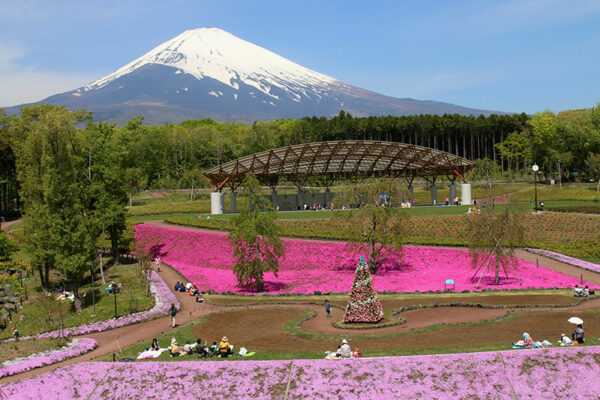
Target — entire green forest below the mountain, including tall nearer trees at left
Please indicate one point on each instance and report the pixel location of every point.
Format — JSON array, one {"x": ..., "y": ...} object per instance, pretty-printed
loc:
[{"x": 73, "y": 177}]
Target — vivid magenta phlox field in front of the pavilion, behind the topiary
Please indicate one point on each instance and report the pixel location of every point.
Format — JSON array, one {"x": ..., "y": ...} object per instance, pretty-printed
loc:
[{"x": 206, "y": 259}]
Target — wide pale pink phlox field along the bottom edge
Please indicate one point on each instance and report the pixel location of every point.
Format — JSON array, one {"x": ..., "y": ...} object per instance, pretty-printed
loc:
[{"x": 531, "y": 374}]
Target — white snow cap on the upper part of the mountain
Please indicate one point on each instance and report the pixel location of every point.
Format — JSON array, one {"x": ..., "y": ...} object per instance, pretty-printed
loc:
[{"x": 217, "y": 54}]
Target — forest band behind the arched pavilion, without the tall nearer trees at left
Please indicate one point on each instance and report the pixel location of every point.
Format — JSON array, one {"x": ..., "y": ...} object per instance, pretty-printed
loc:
[{"x": 564, "y": 145}]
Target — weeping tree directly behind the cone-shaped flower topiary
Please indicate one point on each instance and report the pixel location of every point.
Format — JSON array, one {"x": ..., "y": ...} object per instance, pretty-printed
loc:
[{"x": 375, "y": 227}]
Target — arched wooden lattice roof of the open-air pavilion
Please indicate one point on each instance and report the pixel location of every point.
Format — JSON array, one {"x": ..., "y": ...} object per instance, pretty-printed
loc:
[{"x": 340, "y": 160}]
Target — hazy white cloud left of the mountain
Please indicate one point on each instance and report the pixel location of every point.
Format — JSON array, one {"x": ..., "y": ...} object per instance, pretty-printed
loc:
[{"x": 27, "y": 84}]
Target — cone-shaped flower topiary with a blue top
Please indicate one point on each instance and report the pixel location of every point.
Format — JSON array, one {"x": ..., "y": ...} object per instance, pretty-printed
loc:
[{"x": 363, "y": 305}]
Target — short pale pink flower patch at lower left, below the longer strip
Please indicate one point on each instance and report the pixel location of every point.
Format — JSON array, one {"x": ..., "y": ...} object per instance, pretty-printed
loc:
[{"x": 75, "y": 348}]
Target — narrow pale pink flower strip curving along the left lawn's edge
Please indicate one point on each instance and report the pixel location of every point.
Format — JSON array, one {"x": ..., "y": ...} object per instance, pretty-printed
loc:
[{"x": 163, "y": 297}]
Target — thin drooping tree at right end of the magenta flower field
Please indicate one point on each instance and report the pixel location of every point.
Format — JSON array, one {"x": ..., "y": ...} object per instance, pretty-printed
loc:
[{"x": 494, "y": 236}]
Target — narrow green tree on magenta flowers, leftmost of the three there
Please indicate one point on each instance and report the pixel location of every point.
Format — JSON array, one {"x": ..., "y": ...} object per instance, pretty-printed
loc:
[{"x": 255, "y": 239}]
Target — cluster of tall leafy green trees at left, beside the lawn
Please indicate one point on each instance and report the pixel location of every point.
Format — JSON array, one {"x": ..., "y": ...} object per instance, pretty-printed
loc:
[{"x": 72, "y": 185}]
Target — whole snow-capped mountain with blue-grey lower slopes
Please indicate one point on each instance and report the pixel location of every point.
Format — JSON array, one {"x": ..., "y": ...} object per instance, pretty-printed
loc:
[{"x": 210, "y": 73}]
